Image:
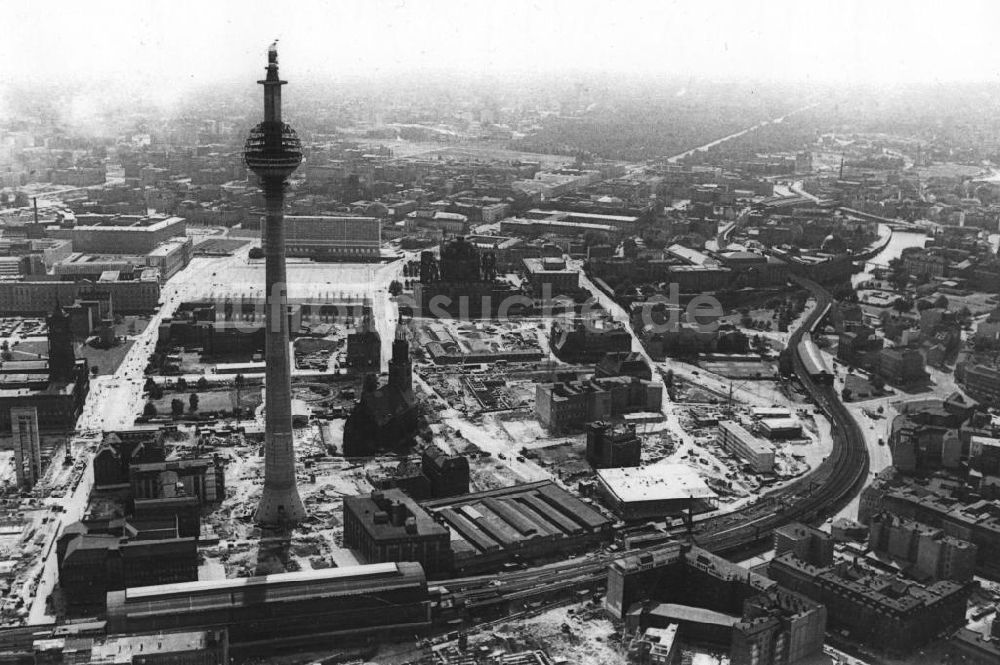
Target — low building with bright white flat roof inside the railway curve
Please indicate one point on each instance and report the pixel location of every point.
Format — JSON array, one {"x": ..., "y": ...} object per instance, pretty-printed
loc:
[{"x": 641, "y": 493}]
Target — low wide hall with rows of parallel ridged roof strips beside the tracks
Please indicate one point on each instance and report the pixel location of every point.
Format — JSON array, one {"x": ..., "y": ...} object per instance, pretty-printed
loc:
[{"x": 521, "y": 522}]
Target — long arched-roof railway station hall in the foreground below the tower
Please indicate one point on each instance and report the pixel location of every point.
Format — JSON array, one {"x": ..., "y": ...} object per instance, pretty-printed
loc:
[{"x": 315, "y": 607}]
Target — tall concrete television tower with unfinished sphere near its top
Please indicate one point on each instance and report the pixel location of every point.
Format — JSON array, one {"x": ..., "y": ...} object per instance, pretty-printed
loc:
[{"x": 273, "y": 152}]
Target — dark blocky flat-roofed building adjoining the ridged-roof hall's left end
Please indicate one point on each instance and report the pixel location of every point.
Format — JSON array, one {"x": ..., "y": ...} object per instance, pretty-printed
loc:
[{"x": 389, "y": 526}]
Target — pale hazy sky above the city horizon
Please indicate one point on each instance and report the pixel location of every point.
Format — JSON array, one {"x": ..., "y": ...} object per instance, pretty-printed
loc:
[{"x": 181, "y": 41}]
